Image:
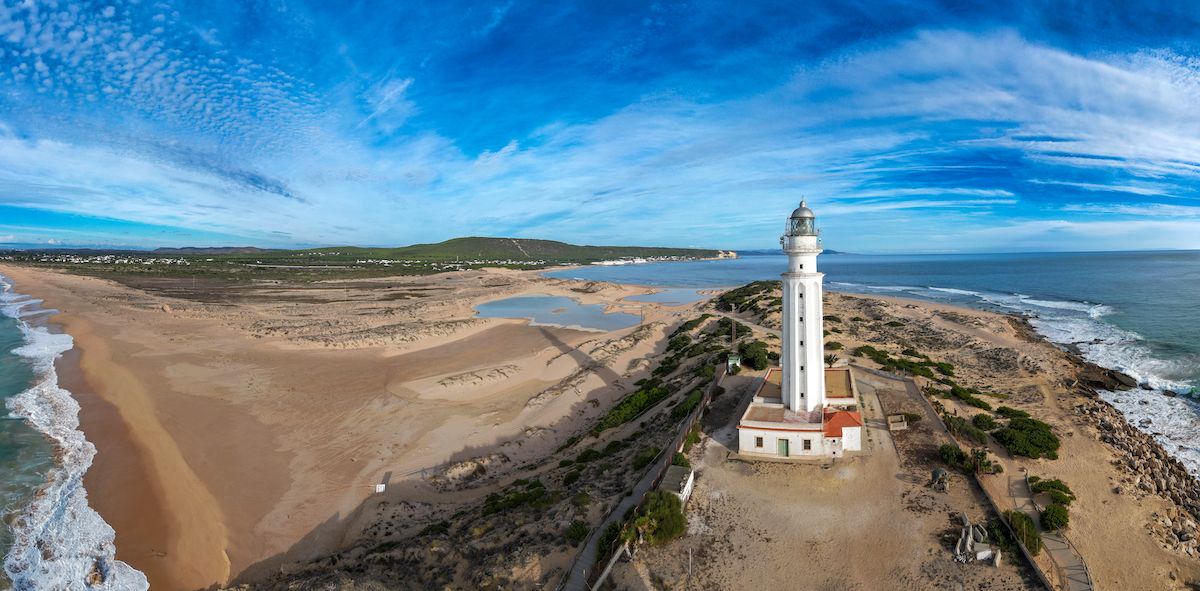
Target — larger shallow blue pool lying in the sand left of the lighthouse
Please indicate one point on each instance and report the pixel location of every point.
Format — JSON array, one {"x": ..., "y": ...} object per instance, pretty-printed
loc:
[{"x": 557, "y": 311}]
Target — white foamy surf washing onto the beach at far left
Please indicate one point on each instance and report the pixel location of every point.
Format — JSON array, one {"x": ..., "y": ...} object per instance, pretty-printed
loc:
[{"x": 61, "y": 544}]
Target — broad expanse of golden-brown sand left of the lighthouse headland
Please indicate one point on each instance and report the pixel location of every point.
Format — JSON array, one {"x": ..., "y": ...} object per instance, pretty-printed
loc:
[{"x": 245, "y": 433}]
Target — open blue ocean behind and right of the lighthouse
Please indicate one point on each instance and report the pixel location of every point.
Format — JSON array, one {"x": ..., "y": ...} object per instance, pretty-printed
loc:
[{"x": 1138, "y": 313}]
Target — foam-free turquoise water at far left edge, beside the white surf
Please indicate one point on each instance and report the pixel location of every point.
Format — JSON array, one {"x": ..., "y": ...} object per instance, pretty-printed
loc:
[{"x": 26, "y": 457}]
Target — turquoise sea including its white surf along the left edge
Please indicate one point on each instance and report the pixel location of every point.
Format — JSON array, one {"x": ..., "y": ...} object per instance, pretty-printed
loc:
[{"x": 52, "y": 540}]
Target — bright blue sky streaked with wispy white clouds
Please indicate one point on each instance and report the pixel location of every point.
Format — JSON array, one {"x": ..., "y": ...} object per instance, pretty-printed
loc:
[{"x": 909, "y": 126}]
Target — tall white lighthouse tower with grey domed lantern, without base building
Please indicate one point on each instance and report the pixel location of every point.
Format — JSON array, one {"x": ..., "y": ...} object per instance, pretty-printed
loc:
[{"x": 803, "y": 349}]
